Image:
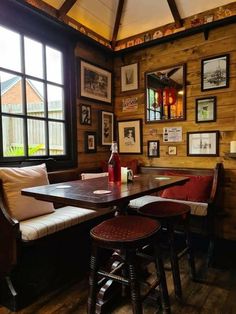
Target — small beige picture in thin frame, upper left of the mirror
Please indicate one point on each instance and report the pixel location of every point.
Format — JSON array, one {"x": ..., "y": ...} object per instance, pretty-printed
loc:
[{"x": 129, "y": 77}]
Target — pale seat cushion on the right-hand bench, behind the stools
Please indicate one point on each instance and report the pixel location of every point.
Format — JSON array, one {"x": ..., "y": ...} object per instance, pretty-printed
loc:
[{"x": 197, "y": 208}]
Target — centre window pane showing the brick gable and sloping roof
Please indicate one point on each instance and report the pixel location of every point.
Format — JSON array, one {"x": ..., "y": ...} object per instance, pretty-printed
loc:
[{"x": 35, "y": 98}]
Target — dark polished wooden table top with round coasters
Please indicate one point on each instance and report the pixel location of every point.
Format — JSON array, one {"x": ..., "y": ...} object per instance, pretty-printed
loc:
[{"x": 89, "y": 193}]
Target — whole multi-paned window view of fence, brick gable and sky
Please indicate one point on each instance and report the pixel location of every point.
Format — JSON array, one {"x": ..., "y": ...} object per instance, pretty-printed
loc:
[{"x": 32, "y": 97}]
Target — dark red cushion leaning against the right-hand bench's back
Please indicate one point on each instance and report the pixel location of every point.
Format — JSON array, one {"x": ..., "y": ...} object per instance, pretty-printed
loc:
[{"x": 197, "y": 189}]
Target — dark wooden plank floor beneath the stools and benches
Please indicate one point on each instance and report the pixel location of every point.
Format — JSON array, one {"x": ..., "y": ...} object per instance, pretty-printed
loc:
[{"x": 215, "y": 293}]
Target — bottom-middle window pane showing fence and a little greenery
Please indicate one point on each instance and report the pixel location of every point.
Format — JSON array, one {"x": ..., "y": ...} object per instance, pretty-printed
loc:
[{"x": 36, "y": 137}]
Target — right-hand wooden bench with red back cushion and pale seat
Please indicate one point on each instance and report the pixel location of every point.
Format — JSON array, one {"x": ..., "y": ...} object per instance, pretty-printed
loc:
[{"x": 203, "y": 193}]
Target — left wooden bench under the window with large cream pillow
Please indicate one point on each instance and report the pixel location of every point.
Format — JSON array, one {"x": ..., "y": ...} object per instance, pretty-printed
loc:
[{"x": 42, "y": 247}]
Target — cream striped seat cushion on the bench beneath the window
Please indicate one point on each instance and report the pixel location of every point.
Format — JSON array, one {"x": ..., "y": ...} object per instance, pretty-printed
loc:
[{"x": 61, "y": 218}]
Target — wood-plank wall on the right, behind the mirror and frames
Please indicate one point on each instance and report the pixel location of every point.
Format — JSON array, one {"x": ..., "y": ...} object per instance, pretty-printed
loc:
[{"x": 189, "y": 50}]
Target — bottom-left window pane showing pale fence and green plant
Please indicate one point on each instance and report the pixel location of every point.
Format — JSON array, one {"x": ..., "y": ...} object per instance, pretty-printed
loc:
[{"x": 13, "y": 144}]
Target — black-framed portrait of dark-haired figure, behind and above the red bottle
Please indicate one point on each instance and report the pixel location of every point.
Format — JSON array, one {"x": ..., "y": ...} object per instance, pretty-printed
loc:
[{"x": 130, "y": 136}]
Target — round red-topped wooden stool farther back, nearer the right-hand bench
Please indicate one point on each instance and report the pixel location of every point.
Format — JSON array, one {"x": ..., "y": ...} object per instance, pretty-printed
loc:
[{"x": 170, "y": 214}]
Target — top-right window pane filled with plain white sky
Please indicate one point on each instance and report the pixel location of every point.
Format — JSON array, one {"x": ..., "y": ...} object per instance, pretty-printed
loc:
[{"x": 54, "y": 65}]
